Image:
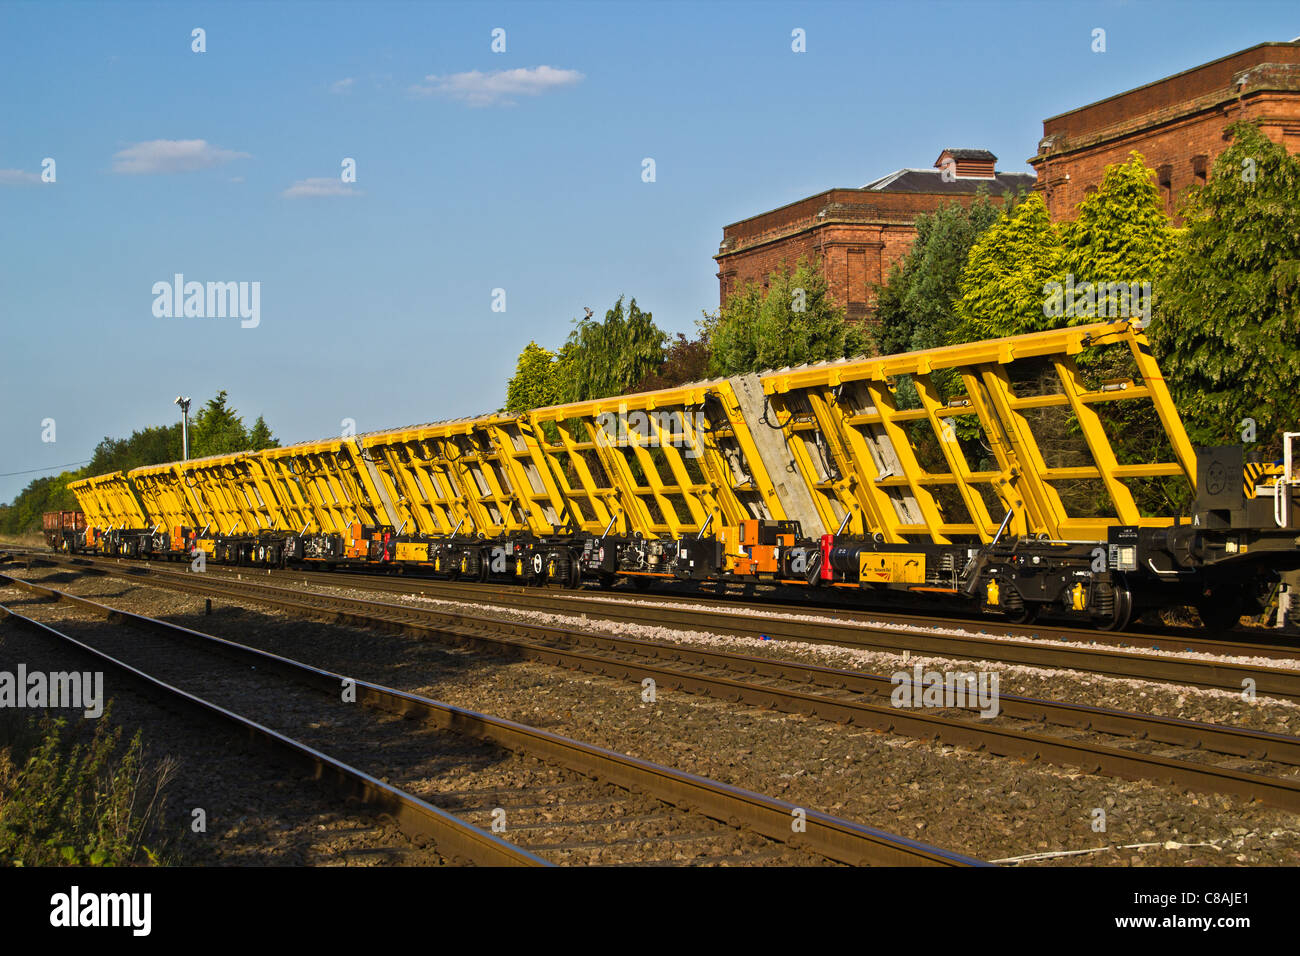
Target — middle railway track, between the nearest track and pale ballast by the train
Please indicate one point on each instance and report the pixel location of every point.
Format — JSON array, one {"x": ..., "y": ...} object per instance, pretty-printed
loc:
[{"x": 1245, "y": 763}]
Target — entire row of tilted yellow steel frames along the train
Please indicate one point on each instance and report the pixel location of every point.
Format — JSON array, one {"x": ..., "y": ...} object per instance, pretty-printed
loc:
[{"x": 847, "y": 439}]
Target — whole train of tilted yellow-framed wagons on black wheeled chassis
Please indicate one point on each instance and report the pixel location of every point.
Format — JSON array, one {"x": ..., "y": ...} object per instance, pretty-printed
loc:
[{"x": 1037, "y": 474}]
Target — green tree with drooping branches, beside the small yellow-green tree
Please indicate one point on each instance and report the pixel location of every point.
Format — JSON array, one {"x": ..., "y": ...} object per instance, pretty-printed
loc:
[{"x": 608, "y": 358}]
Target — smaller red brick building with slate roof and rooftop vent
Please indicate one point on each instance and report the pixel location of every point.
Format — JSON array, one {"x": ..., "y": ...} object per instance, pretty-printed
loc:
[{"x": 857, "y": 233}]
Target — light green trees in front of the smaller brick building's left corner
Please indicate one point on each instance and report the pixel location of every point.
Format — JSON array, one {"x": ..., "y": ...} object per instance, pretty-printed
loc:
[{"x": 794, "y": 322}]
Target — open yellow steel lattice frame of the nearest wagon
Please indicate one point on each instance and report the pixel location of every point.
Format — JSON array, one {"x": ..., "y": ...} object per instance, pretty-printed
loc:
[{"x": 850, "y": 409}]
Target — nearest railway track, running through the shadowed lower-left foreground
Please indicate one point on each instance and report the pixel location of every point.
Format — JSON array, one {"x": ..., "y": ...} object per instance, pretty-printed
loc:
[{"x": 566, "y": 802}]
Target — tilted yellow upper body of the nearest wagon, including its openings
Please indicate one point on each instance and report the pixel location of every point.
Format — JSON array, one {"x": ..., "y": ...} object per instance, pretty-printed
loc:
[{"x": 943, "y": 444}]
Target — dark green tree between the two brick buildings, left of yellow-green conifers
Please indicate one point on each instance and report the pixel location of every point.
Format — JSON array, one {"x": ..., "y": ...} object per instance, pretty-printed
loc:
[{"x": 916, "y": 309}]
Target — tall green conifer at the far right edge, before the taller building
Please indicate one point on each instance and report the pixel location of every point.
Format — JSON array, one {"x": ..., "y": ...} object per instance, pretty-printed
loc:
[{"x": 1228, "y": 310}]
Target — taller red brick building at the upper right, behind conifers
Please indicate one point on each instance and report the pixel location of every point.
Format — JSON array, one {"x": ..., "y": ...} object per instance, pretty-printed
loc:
[{"x": 1177, "y": 124}]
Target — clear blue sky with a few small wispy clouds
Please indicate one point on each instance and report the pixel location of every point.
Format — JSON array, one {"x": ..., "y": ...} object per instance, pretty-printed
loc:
[{"x": 475, "y": 171}]
